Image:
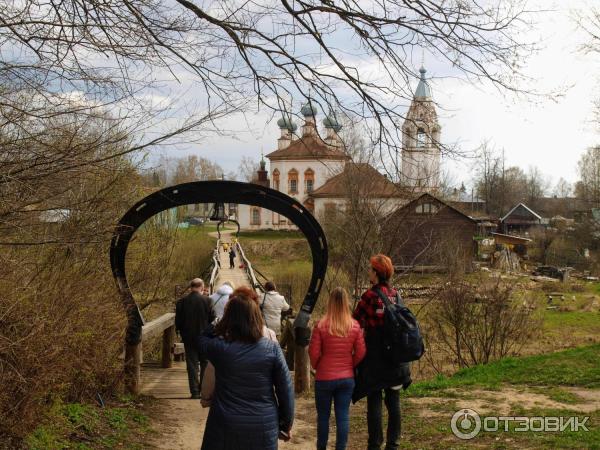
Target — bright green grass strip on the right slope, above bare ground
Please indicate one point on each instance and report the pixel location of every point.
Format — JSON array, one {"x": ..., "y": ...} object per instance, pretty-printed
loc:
[{"x": 574, "y": 367}]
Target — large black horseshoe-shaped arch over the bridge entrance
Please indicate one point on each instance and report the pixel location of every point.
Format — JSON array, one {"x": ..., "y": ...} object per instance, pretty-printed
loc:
[{"x": 213, "y": 192}]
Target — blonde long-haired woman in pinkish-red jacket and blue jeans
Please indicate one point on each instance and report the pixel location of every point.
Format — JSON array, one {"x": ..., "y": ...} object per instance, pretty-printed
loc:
[{"x": 336, "y": 348}]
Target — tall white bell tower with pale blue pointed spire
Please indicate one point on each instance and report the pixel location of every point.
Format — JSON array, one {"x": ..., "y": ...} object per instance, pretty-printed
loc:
[{"x": 421, "y": 141}]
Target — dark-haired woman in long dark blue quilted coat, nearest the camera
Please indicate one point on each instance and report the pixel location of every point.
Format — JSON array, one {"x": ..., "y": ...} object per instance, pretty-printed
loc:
[{"x": 253, "y": 402}]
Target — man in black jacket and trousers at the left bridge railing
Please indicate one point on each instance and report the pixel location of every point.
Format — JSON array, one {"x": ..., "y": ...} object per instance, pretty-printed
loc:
[{"x": 193, "y": 314}]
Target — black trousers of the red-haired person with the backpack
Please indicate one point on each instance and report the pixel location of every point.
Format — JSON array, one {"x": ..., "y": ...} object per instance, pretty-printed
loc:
[{"x": 374, "y": 419}]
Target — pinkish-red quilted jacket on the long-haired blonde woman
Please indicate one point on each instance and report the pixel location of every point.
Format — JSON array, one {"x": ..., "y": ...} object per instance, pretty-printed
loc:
[{"x": 335, "y": 357}]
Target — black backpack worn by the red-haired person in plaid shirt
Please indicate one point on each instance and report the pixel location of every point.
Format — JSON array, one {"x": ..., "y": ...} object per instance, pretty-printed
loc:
[{"x": 402, "y": 338}]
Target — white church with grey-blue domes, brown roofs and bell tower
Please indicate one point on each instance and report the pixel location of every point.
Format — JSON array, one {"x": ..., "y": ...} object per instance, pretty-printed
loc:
[{"x": 318, "y": 173}]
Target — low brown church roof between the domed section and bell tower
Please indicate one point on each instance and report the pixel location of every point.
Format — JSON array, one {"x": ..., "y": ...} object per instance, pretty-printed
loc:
[{"x": 363, "y": 177}]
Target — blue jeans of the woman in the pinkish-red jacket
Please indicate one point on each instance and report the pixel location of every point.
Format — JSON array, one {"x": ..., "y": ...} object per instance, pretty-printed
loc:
[{"x": 340, "y": 391}]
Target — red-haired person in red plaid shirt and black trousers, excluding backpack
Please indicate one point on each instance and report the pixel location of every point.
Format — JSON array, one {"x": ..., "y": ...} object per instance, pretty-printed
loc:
[{"x": 375, "y": 374}]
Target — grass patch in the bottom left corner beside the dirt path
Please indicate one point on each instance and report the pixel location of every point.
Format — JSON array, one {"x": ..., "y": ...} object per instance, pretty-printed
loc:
[{"x": 87, "y": 426}]
